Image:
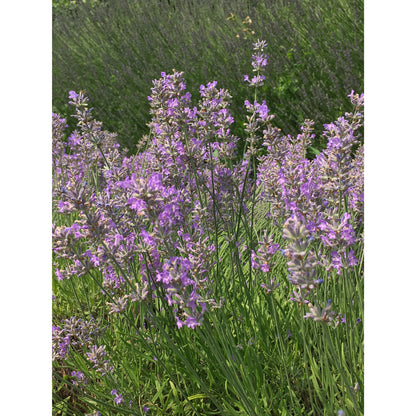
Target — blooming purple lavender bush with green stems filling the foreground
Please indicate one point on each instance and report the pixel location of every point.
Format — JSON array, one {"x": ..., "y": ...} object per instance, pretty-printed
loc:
[{"x": 196, "y": 282}]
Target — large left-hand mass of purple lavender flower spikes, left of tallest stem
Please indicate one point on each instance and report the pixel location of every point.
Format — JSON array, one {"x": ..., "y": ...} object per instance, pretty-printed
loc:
[{"x": 145, "y": 221}]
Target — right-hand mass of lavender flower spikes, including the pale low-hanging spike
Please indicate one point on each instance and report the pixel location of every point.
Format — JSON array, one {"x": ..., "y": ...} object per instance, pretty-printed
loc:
[{"x": 321, "y": 200}]
